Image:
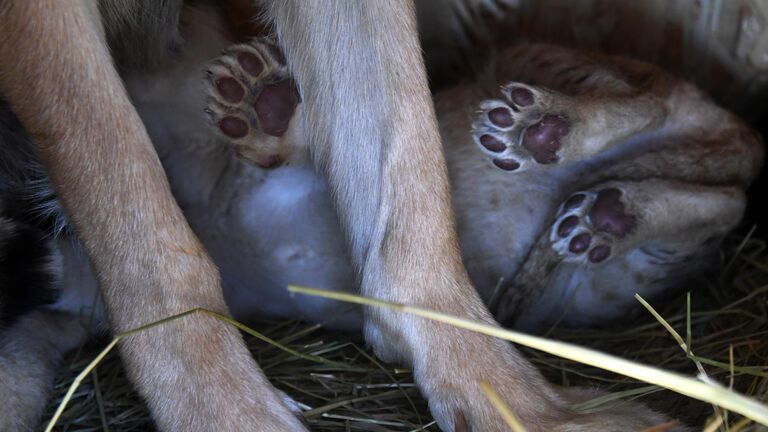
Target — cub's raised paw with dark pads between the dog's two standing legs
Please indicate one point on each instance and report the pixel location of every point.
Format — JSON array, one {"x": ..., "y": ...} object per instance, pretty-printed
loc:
[{"x": 252, "y": 100}]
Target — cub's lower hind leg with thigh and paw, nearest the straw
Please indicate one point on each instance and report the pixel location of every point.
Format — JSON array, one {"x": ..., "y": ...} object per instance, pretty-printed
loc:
[{"x": 617, "y": 239}]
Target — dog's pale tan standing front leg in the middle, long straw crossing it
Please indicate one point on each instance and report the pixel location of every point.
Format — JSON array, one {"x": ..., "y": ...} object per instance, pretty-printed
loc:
[{"x": 373, "y": 133}]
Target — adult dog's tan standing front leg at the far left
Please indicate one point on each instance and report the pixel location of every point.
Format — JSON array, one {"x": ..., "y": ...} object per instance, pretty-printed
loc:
[{"x": 58, "y": 76}]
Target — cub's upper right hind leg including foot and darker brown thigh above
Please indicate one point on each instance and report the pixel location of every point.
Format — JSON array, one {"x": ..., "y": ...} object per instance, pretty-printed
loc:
[{"x": 565, "y": 106}]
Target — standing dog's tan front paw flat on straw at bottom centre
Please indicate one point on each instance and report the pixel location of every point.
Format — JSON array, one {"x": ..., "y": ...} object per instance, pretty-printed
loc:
[{"x": 459, "y": 405}]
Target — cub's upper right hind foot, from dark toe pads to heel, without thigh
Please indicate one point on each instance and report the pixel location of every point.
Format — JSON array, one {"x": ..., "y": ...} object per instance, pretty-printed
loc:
[{"x": 533, "y": 126}]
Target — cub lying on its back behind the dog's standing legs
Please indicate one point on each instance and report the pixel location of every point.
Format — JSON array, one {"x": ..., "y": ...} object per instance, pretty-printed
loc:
[{"x": 578, "y": 180}]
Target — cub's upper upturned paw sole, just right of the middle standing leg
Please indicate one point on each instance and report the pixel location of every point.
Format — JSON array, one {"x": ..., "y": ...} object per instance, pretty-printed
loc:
[{"x": 525, "y": 128}]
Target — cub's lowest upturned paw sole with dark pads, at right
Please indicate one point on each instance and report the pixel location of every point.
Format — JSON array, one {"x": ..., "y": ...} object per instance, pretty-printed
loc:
[{"x": 590, "y": 224}]
